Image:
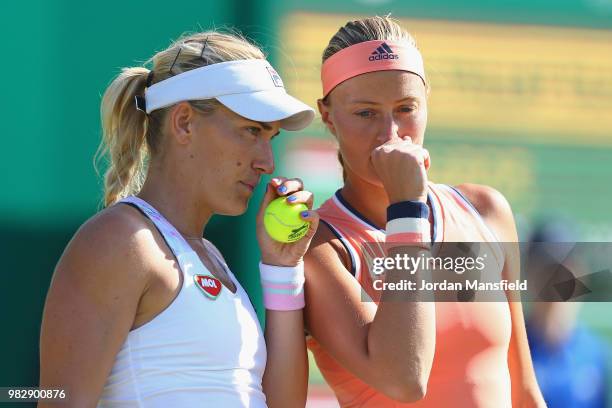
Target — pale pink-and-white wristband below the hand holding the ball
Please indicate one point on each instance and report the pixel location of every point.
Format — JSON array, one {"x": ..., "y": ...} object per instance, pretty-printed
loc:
[{"x": 283, "y": 286}]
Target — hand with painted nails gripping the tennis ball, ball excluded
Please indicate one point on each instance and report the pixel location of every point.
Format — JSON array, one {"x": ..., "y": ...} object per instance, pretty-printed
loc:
[{"x": 278, "y": 253}]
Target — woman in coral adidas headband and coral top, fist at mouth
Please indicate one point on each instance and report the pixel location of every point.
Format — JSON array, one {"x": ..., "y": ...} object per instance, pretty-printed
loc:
[{"x": 413, "y": 353}]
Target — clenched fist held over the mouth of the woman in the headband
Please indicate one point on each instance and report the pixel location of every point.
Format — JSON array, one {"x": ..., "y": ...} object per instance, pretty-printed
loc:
[{"x": 402, "y": 167}]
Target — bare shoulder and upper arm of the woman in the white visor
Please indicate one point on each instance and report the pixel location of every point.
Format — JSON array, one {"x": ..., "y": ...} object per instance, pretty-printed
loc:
[{"x": 93, "y": 301}]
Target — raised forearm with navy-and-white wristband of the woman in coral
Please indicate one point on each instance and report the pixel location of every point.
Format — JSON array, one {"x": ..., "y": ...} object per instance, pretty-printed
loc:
[{"x": 402, "y": 337}]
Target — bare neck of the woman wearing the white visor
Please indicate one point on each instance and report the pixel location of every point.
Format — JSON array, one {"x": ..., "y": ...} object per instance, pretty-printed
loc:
[{"x": 169, "y": 194}]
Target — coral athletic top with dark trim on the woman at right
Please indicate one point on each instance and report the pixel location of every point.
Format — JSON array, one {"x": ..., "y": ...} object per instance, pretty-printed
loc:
[{"x": 470, "y": 367}]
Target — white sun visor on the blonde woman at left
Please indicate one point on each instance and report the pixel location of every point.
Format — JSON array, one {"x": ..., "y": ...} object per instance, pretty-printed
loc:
[{"x": 250, "y": 88}]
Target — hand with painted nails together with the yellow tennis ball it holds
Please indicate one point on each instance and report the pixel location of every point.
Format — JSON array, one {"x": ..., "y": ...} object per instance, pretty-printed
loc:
[{"x": 286, "y": 222}]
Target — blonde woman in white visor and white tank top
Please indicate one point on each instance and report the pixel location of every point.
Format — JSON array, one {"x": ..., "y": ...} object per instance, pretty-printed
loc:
[{"x": 144, "y": 312}]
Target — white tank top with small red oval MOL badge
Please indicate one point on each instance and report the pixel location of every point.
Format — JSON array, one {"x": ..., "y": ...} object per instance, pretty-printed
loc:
[{"x": 201, "y": 351}]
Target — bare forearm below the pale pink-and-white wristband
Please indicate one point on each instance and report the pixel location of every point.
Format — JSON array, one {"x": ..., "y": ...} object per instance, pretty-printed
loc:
[{"x": 285, "y": 380}]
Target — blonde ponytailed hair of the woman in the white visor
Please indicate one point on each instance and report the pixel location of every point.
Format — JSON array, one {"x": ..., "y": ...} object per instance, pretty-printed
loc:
[{"x": 130, "y": 136}]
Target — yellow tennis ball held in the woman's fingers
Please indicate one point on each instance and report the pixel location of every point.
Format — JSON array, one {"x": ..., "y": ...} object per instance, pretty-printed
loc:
[{"x": 283, "y": 222}]
